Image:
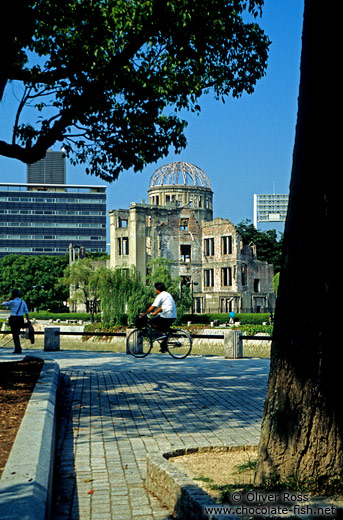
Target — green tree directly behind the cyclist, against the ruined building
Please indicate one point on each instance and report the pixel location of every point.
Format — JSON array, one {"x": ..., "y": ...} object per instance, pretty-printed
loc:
[{"x": 160, "y": 271}]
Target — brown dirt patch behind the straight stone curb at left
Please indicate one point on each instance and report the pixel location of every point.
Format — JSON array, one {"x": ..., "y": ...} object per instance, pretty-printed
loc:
[{"x": 17, "y": 381}]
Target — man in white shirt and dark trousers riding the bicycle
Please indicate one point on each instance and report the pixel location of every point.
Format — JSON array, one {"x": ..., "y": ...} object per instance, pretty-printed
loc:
[{"x": 163, "y": 310}]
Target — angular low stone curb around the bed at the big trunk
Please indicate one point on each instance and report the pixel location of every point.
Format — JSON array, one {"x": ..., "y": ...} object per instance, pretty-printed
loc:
[{"x": 176, "y": 490}]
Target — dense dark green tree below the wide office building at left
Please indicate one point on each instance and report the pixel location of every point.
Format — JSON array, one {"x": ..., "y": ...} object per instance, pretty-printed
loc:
[{"x": 36, "y": 277}]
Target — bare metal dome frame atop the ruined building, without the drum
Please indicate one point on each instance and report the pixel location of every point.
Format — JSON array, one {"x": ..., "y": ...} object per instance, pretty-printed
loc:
[{"x": 170, "y": 174}]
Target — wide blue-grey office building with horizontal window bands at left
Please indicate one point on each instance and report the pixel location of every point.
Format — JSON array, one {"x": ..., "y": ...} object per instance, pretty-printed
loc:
[{"x": 39, "y": 218}]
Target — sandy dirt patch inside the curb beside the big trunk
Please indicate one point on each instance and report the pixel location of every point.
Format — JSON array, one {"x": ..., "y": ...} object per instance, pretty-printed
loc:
[{"x": 212, "y": 469}]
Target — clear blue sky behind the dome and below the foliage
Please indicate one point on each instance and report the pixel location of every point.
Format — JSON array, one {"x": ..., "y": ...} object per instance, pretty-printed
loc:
[{"x": 245, "y": 145}]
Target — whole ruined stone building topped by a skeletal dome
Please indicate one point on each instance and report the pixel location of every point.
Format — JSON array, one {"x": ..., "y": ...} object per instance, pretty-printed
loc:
[{"x": 178, "y": 224}]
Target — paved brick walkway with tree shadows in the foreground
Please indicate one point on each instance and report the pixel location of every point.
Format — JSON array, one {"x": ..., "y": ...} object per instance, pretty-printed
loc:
[{"x": 114, "y": 409}]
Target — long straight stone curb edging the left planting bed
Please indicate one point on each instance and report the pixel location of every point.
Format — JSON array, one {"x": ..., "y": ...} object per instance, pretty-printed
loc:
[{"x": 26, "y": 483}]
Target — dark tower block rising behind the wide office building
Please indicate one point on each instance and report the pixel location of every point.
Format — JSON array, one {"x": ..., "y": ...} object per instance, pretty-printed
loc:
[{"x": 50, "y": 170}]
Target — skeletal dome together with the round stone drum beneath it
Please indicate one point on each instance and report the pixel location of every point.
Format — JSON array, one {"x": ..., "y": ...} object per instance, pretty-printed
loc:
[{"x": 182, "y": 184}]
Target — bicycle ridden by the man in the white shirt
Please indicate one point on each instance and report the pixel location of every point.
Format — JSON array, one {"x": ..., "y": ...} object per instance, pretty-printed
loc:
[{"x": 140, "y": 341}]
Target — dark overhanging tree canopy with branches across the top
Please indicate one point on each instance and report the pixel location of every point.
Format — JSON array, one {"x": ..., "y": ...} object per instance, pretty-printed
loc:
[{"x": 107, "y": 78}]
